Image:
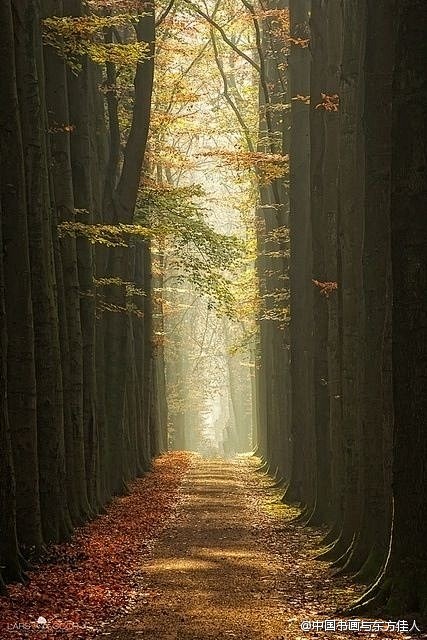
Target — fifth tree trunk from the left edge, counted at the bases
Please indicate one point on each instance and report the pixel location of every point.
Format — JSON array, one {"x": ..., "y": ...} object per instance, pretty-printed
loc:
[{"x": 84, "y": 129}]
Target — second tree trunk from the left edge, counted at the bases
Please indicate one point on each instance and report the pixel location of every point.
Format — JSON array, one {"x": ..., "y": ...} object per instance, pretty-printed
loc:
[{"x": 21, "y": 391}]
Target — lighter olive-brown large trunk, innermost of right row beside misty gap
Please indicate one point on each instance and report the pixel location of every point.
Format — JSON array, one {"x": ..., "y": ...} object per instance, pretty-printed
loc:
[{"x": 303, "y": 470}]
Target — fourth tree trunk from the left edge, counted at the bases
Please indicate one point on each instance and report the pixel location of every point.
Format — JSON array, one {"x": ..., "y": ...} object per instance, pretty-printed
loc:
[{"x": 60, "y": 126}]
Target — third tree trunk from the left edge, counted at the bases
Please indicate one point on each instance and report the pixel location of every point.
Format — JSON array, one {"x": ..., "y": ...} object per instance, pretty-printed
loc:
[{"x": 50, "y": 412}]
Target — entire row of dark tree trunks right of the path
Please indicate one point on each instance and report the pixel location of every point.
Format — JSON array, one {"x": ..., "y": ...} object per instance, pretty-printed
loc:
[{"x": 357, "y": 287}]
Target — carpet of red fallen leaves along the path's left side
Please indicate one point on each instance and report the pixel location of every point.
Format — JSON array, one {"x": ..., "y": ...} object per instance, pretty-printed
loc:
[{"x": 83, "y": 581}]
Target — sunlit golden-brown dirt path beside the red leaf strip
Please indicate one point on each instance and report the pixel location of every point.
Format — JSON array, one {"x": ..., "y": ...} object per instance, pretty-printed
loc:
[{"x": 229, "y": 566}]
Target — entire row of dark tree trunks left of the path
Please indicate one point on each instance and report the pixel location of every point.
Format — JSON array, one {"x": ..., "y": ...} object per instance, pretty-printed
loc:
[{"x": 68, "y": 360}]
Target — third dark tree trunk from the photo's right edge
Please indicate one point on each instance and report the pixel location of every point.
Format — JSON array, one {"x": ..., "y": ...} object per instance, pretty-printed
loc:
[{"x": 350, "y": 278}]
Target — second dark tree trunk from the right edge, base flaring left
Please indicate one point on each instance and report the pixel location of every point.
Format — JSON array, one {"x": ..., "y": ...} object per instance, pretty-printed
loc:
[{"x": 372, "y": 542}]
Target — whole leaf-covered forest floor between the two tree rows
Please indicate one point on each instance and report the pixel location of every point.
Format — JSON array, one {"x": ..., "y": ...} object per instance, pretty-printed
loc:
[{"x": 199, "y": 550}]
